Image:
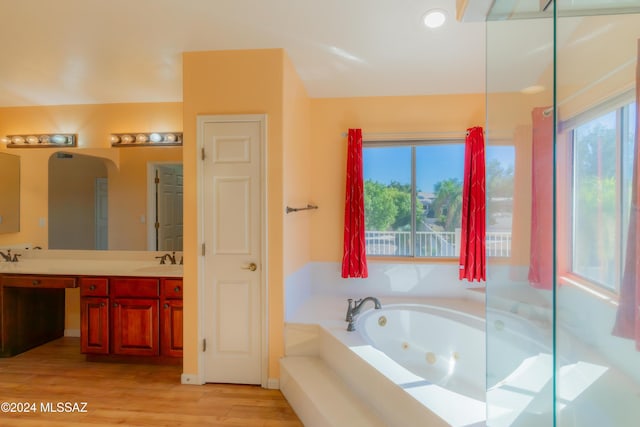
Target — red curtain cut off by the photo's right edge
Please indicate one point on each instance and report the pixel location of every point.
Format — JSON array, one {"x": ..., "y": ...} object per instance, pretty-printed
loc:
[{"x": 628, "y": 317}]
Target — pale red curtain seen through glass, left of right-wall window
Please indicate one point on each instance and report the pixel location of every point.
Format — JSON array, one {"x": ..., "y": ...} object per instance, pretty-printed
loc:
[{"x": 541, "y": 258}]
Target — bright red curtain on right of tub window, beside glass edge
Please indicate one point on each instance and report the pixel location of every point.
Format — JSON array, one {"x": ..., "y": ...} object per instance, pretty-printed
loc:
[{"x": 473, "y": 252}]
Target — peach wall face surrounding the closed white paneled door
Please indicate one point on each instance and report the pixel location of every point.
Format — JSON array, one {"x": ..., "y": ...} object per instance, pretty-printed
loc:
[{"x": 234, "y": 82}]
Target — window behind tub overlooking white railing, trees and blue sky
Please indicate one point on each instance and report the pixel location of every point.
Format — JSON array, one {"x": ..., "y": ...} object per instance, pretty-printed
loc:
[{"x": 413, "y": 198}]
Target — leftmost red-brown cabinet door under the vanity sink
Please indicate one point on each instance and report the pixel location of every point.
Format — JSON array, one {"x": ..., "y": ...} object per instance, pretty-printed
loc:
[{"x": 94, "y": 325}]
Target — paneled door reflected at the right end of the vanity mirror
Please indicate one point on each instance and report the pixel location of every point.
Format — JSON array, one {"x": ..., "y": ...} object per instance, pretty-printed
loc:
[{"x": 169, "y": 207}]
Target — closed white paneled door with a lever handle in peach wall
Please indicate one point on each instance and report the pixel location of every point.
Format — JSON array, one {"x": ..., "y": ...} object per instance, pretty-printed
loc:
[{"x": 231, "y": 225}]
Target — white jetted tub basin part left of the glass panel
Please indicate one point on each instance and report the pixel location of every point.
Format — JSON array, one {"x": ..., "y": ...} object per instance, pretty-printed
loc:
[{"x": 442, "y": 346}]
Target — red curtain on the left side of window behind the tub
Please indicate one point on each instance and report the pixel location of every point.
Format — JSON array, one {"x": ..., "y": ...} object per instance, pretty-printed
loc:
[{"x": 354, "y": 259}]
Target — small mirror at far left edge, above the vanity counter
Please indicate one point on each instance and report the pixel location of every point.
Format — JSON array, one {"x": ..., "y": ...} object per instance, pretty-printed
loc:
[{"x": 10, "y": 191}]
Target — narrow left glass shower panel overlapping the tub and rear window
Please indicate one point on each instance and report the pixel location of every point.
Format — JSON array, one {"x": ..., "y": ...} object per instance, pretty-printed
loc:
[{"x": 519, "y": 291}]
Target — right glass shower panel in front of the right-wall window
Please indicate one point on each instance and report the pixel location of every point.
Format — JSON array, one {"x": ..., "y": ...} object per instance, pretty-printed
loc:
[{"x": 597, "y": 373}]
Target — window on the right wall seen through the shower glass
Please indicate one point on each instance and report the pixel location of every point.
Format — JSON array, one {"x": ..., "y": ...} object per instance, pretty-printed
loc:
[{"x": 602, "y": 167}]
